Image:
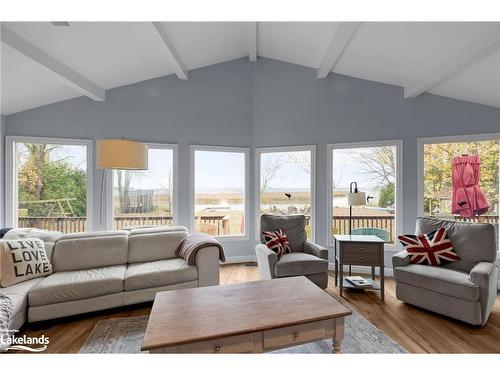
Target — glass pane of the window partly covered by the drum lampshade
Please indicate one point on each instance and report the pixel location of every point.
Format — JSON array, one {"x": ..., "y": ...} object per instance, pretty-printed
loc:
[{"x": 144, "y": 197}]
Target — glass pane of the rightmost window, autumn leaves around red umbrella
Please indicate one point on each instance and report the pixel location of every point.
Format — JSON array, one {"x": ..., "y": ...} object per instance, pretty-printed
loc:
[{"x": 438, "y": 177}]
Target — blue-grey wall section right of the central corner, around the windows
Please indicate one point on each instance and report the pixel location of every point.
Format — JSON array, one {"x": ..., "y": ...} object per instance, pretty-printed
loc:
[{"x": 292, "y": 107}]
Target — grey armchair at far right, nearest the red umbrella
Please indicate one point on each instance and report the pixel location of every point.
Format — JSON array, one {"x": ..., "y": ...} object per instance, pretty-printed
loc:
[{"x": 465, "y": 290}]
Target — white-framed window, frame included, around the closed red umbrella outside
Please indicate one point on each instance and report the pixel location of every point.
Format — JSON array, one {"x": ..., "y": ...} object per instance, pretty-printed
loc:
[{"x": 436, "y": 173}]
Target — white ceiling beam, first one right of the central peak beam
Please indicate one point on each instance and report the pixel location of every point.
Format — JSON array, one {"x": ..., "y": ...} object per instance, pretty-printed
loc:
[{"x": 340, "y": 40}]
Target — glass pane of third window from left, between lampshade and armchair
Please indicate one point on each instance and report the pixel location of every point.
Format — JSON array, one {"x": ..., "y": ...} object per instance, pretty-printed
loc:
[{"x": 219, "y": 183}]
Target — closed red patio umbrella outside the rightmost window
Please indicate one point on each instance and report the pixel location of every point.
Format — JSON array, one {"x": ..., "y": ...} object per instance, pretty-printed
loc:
[{"x": 468, "y": 200}]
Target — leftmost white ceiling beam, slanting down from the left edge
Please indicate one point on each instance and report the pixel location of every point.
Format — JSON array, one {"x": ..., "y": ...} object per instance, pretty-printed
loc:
[{"x": 60, "y": 70}]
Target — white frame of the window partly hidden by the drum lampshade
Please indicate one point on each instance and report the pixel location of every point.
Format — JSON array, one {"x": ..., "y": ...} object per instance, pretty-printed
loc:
[{"x": 175, "y": 185}]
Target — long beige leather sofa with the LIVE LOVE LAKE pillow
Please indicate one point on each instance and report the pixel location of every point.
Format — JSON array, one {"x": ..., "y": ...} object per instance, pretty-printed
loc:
[{"x": 101, "y": 270}]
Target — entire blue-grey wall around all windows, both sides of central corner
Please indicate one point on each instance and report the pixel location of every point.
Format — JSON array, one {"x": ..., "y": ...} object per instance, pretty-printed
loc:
[{"x": 267, "y": 103}]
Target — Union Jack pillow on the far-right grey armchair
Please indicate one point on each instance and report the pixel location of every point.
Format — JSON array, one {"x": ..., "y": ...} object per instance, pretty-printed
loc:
[{"x": 433, "y": 249}]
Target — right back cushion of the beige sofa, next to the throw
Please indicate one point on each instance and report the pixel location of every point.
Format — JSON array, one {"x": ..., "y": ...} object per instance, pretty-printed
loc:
[{"x": 151, "y": 244}]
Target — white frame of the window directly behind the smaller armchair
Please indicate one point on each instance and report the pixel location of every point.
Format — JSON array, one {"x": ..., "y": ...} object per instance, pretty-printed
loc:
[{"x": 264, "y": 150}]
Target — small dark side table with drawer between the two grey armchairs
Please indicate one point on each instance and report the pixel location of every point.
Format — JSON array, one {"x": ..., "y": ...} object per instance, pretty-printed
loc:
[{"x": 359, "y": 250}]
